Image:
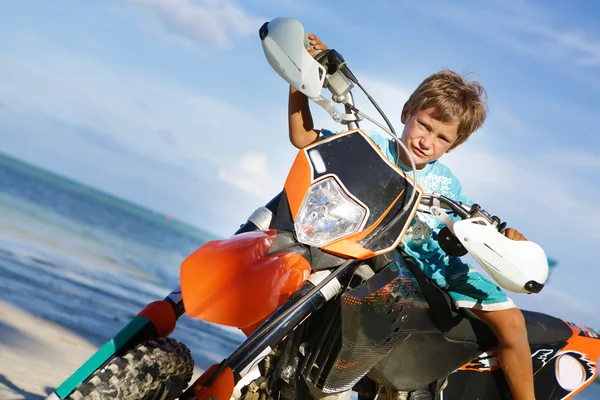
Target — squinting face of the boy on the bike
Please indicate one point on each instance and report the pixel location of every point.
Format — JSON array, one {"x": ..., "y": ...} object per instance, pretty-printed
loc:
[{"x": 426, "y": 138}]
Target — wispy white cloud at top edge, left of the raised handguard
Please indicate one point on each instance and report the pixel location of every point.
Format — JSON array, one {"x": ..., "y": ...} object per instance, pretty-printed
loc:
[{"x": 202, "y": 21}]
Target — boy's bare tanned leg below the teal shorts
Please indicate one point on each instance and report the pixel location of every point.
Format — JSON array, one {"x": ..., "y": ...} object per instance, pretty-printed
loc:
[{"x": 514, "y": 353}]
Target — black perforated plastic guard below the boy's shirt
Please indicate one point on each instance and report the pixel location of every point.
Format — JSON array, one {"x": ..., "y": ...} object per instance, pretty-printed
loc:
[{"x": 376, "y": 317}]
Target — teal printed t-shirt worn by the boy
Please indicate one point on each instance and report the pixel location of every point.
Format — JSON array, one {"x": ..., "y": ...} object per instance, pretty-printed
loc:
[{"x": 420, "y": 240}]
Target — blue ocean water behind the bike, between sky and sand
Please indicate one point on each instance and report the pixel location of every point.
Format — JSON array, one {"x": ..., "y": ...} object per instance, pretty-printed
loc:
[{"x": 90, "y": 261}]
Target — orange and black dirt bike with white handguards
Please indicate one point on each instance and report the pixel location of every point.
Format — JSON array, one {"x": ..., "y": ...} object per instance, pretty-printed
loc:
[{"x": 330, "y": 303}]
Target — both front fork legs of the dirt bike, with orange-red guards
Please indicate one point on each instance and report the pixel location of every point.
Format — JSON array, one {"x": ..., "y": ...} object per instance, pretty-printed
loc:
[{"x": 158, "y": 320}]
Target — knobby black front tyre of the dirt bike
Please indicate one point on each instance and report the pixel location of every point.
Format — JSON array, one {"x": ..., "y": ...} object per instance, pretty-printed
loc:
[{"x": 154, "y": 370}]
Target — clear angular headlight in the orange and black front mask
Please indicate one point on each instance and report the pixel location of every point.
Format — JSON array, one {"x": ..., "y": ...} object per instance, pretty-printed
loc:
[{"x": 327, "y": 214}]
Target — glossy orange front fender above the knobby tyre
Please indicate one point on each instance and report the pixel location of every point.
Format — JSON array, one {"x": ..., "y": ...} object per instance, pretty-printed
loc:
[{"x": 232, "y": 282}]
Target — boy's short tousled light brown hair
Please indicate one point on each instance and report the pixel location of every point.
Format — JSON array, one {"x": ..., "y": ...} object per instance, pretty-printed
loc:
[{"x": 451, "y": 99}]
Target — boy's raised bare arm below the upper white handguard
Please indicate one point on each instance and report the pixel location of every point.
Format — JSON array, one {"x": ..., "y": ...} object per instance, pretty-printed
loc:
[{"x": 301, "y": 128}]
